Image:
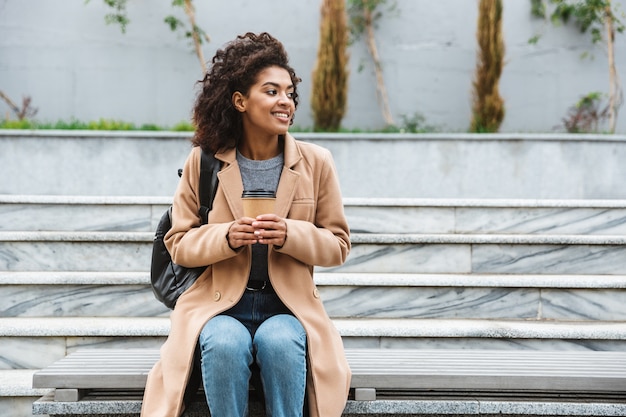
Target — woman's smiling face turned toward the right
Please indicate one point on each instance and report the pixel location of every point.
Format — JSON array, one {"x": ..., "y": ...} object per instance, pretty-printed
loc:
[{"x": 269, "y": 106}]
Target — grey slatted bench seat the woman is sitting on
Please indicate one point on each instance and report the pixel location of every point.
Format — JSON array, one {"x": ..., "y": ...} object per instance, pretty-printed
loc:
[{"x": 383, "y": 369}]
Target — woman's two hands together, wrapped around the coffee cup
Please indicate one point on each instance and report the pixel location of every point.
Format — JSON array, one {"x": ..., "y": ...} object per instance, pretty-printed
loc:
[{"x": 265, "y": 229}]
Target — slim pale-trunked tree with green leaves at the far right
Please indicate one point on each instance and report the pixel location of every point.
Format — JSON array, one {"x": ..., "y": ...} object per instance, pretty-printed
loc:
[{"x": 600, "y": 19}]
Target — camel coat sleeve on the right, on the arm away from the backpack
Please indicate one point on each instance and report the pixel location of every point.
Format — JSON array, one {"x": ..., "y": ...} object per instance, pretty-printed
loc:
[{"x": 326, "y": 241}]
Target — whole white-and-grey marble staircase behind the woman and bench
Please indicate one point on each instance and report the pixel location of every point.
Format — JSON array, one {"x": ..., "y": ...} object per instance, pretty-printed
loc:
[{"x": 435, "y": 273}]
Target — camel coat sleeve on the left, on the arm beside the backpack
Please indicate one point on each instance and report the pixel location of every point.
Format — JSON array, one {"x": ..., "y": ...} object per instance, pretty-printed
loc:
[{"x": 190, "y": 243}]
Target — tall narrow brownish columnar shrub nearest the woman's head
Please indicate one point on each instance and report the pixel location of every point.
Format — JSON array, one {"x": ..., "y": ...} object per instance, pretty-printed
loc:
[{"x": 330, "y": 75}]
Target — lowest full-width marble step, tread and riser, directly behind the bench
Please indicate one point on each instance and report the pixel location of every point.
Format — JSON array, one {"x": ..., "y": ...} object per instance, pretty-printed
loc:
[{"x": 30, "y": 343}]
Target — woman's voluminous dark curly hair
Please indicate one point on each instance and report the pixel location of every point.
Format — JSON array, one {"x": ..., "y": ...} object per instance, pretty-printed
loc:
[{"x": 234, "y": 68}]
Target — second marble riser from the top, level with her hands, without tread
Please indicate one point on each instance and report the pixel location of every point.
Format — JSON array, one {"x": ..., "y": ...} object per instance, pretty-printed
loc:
[{"x": 366, "y": 258}]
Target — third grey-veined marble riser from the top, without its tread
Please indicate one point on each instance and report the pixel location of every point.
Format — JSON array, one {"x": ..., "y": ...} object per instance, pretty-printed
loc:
[{"x": 340, "y": 302}]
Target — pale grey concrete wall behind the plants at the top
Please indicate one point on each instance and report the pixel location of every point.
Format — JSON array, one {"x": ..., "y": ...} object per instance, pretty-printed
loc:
[{"x": 73, "y": 65}]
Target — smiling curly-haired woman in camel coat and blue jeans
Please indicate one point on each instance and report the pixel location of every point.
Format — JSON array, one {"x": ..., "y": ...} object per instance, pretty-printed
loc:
[{"x": 256, "y": 305}]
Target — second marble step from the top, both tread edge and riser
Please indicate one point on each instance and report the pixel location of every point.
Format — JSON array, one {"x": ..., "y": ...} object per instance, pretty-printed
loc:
[{"x": 371, "y": 253}]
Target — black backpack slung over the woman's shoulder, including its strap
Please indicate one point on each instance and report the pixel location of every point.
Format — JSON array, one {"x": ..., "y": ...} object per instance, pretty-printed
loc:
[{"x": 168, "y": 279}]
